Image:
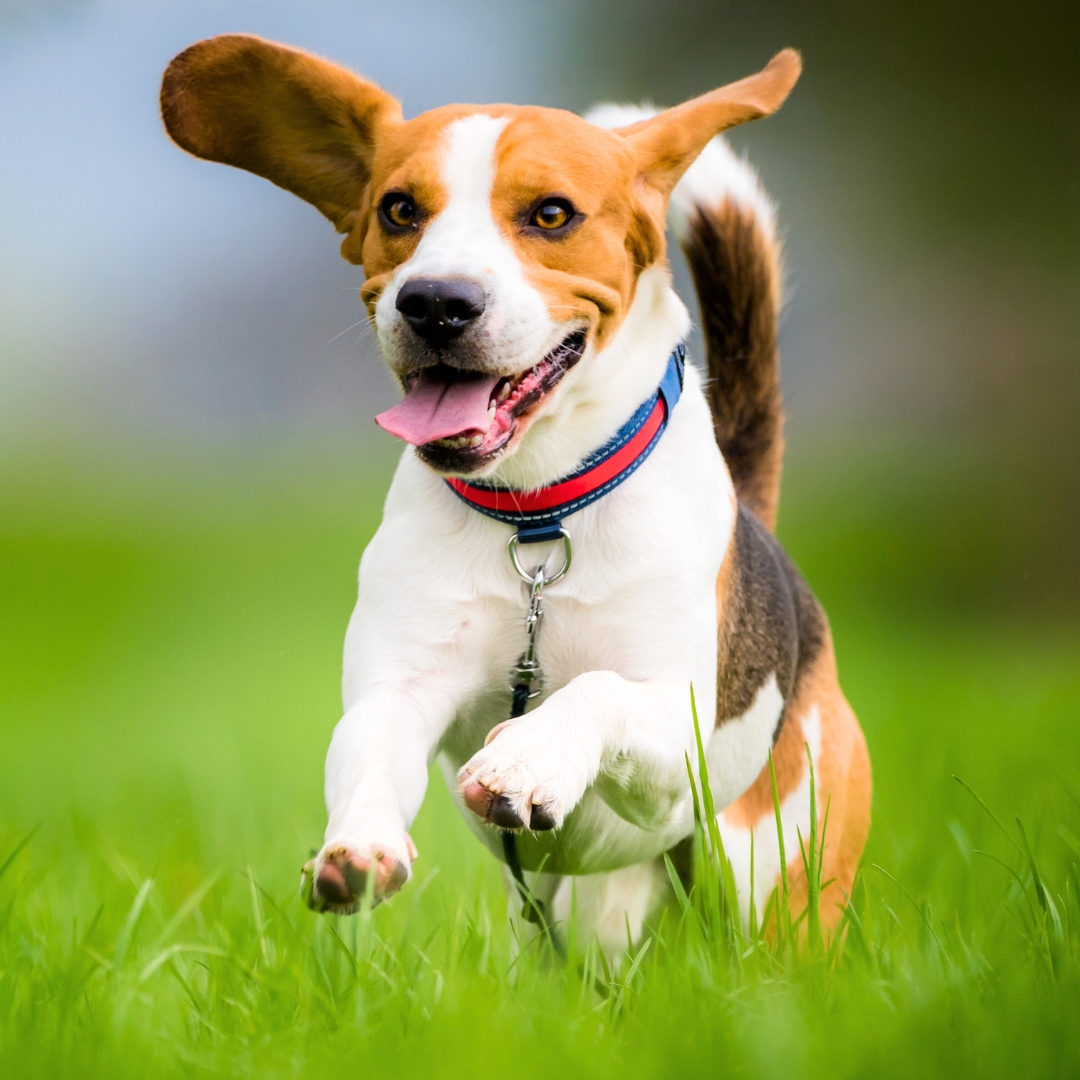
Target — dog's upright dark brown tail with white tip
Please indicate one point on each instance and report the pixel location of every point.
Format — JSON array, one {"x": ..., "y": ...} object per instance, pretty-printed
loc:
[{"x": 726, "y": 226}]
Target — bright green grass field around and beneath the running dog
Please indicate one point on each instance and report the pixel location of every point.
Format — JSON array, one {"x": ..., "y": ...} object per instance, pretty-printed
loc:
[{"x": 170, "y": 650}]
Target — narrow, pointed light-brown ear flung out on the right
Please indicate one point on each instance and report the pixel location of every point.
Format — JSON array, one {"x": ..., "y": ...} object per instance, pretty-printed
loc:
[{"x": 667, "y": 145}]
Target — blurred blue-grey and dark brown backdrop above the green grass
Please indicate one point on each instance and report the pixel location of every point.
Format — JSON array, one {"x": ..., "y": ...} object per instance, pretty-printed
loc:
[{"x": 927, "y": 169}]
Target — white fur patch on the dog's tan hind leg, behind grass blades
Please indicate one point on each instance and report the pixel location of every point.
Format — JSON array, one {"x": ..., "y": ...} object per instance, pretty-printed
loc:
[{"x": 794, "y": 818}]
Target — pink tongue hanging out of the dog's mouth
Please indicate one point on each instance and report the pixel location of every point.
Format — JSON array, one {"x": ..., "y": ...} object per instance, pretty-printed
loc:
[{"x": 441, "y": 404}]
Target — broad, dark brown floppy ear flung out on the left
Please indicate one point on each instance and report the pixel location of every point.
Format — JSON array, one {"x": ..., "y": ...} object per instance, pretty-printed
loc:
[{"x": 308, "y": 126}]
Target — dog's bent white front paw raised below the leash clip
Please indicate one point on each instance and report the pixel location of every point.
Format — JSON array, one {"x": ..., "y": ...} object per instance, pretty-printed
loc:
[{"x": 520, "y": 779}]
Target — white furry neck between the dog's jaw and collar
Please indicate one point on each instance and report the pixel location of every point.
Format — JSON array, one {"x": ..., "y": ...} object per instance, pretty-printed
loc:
[{"x": 603, "y": 390}]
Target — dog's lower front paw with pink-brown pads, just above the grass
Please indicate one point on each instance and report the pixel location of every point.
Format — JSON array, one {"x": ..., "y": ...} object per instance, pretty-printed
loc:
[{"x": 337, "y": 879}]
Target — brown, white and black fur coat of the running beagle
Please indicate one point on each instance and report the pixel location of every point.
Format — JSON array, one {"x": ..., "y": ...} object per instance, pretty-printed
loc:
[{"x": 677, "y": 577}]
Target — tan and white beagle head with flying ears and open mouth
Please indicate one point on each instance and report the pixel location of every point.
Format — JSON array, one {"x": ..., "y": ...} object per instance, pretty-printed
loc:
[{"x": 502, "y": 244}]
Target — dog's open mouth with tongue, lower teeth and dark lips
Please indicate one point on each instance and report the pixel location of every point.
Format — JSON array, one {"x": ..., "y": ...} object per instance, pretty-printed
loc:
[{"x": 461, "y": 420}]
